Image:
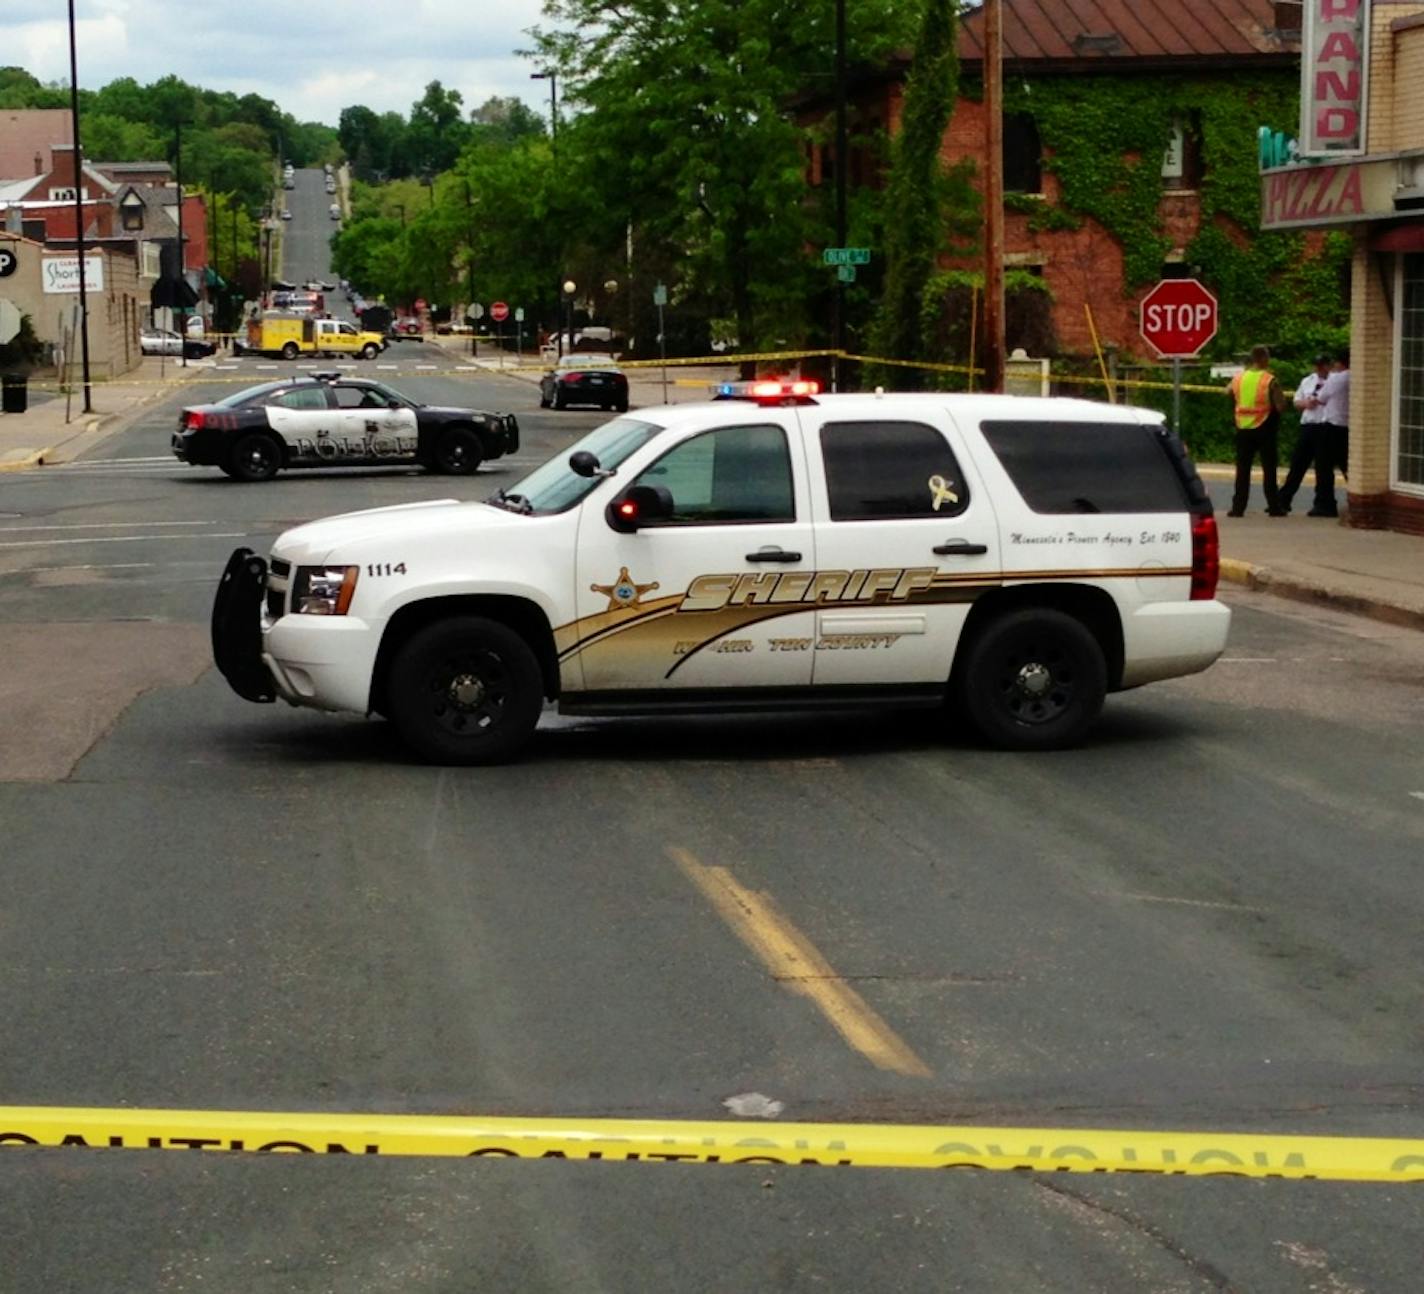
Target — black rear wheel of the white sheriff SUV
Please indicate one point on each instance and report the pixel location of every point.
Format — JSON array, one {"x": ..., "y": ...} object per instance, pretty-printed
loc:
[{"x": 1035, "y": 680}]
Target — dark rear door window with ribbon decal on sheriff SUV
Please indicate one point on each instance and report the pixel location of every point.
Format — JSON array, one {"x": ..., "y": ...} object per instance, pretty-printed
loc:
[{"x": 876, "y": 472}]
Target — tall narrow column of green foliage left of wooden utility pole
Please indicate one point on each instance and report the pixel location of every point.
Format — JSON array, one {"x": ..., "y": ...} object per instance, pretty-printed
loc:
[{"x": 918, "y": 190}]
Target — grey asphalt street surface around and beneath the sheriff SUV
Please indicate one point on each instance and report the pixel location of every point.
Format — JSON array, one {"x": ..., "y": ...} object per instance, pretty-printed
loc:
[{"x": 1208, "y": 919}]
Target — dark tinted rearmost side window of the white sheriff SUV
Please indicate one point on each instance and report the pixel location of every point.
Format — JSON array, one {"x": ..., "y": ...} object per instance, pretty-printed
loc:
[{"x": 1089, "y": 468}]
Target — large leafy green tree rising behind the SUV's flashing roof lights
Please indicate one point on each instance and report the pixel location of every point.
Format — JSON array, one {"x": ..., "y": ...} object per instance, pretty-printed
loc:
[{"x": 689, "y": 137}]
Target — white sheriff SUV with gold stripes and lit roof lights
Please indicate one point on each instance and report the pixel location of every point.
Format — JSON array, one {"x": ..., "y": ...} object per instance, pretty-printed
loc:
[{"x": 1015, "y": 559}]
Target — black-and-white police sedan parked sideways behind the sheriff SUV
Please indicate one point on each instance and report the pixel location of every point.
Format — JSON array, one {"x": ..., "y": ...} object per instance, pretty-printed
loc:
[{"x": 330, "y": 421}]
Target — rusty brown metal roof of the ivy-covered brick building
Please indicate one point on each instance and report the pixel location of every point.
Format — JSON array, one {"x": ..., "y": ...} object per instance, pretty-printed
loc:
[{"x": 1123, "y": 32}]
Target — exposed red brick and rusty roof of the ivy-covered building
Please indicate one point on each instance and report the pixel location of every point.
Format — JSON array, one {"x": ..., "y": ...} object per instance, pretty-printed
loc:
[{"x": 1161, "y": 41}]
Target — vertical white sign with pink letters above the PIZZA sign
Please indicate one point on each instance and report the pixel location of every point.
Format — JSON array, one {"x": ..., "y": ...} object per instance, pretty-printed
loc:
[{"x": 1335, "y": 72}]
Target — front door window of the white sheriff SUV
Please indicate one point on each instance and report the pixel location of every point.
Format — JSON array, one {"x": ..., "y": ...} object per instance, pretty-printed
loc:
[{"x": 727, "y": 476}]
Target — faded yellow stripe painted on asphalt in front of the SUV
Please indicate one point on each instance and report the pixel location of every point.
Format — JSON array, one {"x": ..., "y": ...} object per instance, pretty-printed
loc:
[{"x": 800, "y": 966}]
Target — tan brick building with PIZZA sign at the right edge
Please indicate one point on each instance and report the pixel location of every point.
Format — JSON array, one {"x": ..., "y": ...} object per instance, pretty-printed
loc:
[{"x": 1375, "y": 190}]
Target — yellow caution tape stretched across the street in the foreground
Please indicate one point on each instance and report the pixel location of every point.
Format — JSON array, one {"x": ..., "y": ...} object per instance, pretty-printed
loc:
[{"x": 667, "y": 1141}]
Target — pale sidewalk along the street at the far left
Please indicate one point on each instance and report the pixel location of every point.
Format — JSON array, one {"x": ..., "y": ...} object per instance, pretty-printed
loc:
[{"x": 42, "y": 436}]
